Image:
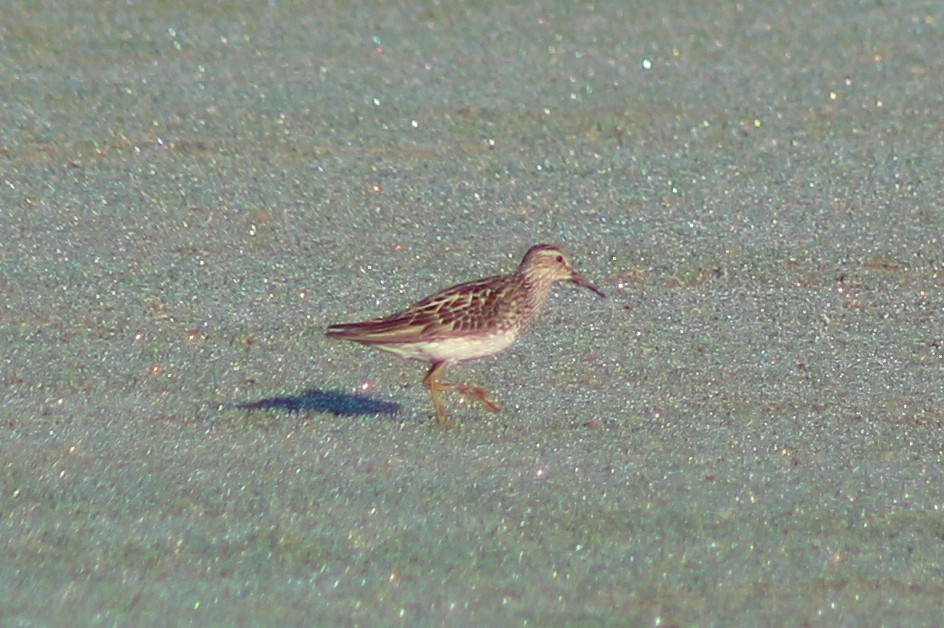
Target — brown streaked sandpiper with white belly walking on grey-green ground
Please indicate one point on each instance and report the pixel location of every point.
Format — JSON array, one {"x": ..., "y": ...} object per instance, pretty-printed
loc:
[{"x": 468, "y": 321}]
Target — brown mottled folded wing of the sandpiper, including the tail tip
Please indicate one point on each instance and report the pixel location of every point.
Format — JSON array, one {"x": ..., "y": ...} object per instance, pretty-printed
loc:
[{"x": 465, "y": 309}]
